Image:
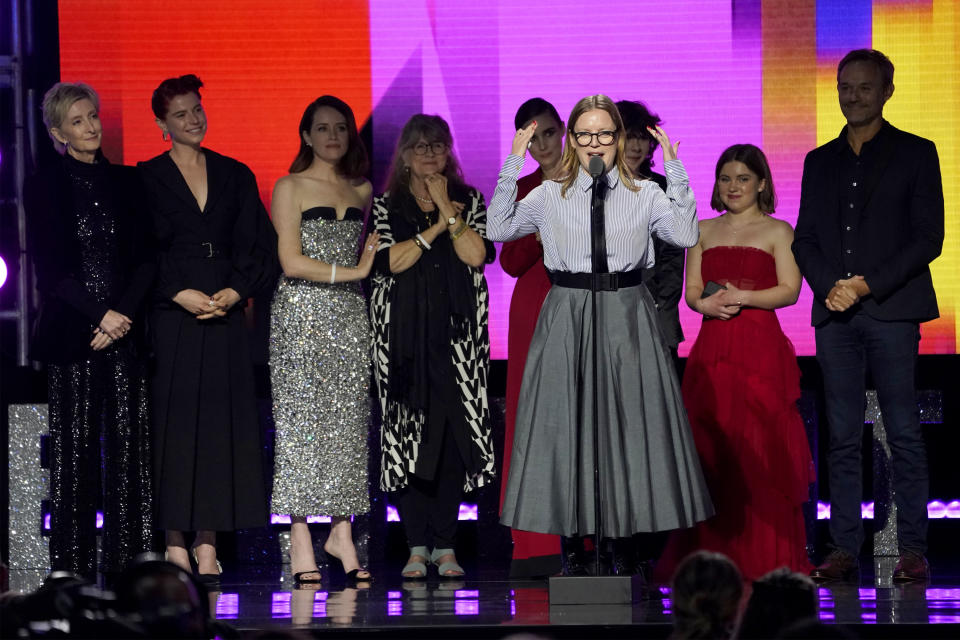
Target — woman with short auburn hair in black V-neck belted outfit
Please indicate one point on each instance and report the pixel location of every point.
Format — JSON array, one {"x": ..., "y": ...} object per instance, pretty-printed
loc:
[{"x": 217, "y": 248}]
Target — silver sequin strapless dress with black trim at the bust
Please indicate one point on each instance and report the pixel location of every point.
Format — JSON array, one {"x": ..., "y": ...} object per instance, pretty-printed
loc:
[{"x": 320, "y": 373}]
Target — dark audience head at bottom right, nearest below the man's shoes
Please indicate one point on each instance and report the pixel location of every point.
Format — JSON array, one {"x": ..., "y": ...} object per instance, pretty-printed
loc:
[{"x": 780, "y": 599}]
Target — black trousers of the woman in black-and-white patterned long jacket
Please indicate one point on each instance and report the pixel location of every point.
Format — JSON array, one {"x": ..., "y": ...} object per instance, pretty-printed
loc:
[{"x": 430, "y": 508}]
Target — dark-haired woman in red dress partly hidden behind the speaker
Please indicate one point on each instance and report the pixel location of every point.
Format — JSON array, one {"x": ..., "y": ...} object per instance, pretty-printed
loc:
[{"x": 534, "y": 554}]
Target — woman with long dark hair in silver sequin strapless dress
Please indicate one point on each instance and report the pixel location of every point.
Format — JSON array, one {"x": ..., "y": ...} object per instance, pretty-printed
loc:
[{"x": 320, "y": 337}]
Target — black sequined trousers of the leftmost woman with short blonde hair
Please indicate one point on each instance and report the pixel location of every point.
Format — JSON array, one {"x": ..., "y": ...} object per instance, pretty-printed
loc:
[{"x": 99, "y": 457}]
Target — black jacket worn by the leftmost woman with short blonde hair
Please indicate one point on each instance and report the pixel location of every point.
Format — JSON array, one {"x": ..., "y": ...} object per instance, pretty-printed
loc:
[{"x": 69, "y": 313}]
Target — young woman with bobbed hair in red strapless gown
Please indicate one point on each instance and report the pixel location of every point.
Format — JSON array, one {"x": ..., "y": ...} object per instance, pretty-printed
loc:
[{"x": 741, "y": 382}]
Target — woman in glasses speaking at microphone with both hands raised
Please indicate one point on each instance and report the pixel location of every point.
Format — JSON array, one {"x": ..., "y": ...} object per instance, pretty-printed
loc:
[{"x": 650, "y": 477}]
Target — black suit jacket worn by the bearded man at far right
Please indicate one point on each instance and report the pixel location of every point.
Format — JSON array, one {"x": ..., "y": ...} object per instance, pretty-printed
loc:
[{"x": 900, "y": 227}]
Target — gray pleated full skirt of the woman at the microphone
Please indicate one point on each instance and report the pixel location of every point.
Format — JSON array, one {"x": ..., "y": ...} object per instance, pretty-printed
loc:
[{"x": 650, "y": 474}]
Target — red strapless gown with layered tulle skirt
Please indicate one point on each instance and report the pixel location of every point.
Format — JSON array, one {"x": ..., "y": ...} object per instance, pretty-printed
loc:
[{"x": 741, "y": 386}]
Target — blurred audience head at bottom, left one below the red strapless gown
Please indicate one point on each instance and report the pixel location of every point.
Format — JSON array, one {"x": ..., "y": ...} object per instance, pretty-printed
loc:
[{"x": 706, "y": 592}]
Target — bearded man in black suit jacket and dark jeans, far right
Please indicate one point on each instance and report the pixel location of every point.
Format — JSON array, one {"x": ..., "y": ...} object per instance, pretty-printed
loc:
[{"x": 870, "y": 223}]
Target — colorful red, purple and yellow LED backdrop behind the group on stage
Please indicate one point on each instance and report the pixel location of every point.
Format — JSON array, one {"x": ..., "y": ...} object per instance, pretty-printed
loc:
[{"x": 717, "y": 72}]
